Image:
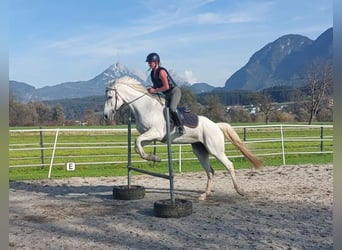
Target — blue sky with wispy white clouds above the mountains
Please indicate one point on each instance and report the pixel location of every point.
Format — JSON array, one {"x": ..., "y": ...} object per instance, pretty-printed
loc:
[{"x": 56, "y": 41}]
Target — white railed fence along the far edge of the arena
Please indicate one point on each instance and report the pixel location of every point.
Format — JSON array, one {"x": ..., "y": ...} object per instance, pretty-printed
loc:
[{"x": 53, "y": 147}]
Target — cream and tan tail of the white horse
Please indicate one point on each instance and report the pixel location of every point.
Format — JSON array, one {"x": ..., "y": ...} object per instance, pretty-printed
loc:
[{"x": 231, "y": 135}]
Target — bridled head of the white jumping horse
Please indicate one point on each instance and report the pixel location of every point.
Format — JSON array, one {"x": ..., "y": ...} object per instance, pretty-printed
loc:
[{"x": 113, "y": 102}]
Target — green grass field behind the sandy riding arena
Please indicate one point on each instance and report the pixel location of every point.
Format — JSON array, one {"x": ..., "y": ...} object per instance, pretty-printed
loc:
[{"x": 104, "y": 153}]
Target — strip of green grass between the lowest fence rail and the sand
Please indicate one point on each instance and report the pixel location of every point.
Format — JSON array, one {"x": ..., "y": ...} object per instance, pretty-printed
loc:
[{"x": 33, "y": 173}]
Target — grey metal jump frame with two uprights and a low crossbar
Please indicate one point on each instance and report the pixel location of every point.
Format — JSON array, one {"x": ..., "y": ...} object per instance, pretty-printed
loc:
[{"x": 129, "y": 157}]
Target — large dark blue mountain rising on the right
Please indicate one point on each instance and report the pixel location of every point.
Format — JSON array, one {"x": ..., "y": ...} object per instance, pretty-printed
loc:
[{"x": 280, "y": 62}]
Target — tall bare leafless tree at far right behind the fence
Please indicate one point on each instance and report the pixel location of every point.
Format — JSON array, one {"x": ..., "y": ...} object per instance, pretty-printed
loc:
[{"x": 319, "y": 85}]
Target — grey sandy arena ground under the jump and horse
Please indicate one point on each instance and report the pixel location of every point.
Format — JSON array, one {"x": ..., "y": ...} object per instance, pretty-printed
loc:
[{"x": 287, "y": 207}]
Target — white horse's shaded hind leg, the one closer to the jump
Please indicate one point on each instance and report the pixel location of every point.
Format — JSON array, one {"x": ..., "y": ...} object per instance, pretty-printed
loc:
[{"x": 203, "y": 156}]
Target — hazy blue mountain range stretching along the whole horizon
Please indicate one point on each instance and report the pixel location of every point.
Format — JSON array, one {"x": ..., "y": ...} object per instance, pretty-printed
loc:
[{"x": 281, "y": 62}]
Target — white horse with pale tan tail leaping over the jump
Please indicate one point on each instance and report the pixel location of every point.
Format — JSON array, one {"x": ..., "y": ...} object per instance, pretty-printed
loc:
[{"x": 207, "y": 138}]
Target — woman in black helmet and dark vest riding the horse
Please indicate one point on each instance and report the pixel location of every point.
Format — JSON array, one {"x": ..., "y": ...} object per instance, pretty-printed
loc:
[{"x": 162, "y": 82}]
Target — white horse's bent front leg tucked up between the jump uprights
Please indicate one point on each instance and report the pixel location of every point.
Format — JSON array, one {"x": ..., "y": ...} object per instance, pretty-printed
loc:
[{"x": 143, "y": 140}]
